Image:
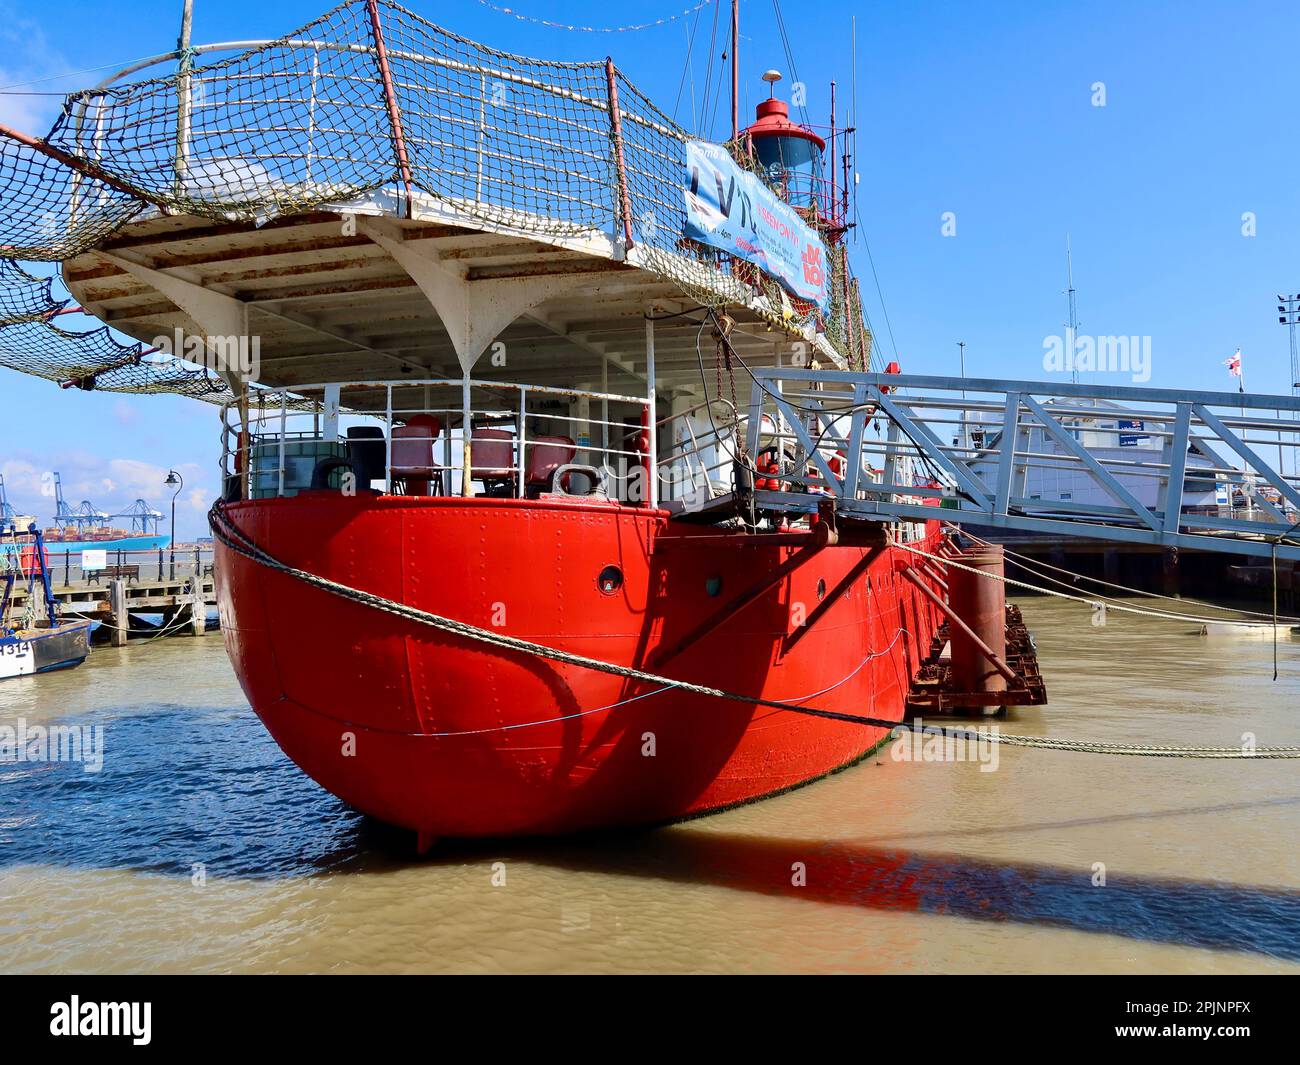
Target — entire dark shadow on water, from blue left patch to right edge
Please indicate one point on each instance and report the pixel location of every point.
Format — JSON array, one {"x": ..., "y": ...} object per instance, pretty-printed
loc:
[{"x": 176, "y": 791}]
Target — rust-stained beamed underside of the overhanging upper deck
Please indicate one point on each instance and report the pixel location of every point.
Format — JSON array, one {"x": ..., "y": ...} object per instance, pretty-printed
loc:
[{"x": 301, "y": 274}]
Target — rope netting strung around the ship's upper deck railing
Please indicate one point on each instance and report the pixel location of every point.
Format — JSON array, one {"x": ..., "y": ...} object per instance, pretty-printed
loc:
[{"x": 372, "y": 102}]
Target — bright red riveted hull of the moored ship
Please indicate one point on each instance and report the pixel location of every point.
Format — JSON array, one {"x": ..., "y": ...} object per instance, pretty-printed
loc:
[{"x": 457, "y": 738}]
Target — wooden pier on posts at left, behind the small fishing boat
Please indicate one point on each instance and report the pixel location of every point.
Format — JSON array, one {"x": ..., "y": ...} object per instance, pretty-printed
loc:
[{"x": 116, "y": 600}]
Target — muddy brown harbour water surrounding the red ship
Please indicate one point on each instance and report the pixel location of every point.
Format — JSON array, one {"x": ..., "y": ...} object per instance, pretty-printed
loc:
[{"x": 201, "y": 848}]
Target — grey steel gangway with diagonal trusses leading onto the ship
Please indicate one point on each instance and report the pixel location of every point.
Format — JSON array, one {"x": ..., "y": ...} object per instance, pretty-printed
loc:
[{"x": 1167, "y": 467}]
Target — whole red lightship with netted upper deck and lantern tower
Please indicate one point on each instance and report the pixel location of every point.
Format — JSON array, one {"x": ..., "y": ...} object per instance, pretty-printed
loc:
[{"x": 513, "y": 542}]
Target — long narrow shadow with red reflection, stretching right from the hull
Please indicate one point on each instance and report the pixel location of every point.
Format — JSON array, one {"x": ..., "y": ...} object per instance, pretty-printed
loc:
[{"x": 1181, "y": 912}]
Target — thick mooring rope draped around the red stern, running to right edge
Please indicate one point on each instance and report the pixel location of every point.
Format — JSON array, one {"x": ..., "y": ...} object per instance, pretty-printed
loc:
[{"x": 231, "y": 536}]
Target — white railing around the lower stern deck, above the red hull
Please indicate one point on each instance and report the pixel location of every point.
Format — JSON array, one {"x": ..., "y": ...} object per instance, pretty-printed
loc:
[{"x": 409, "y": 438}]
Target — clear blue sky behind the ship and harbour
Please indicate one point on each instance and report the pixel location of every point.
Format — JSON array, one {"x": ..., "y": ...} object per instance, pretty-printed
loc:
[{"x": 976, "y": 109}]
